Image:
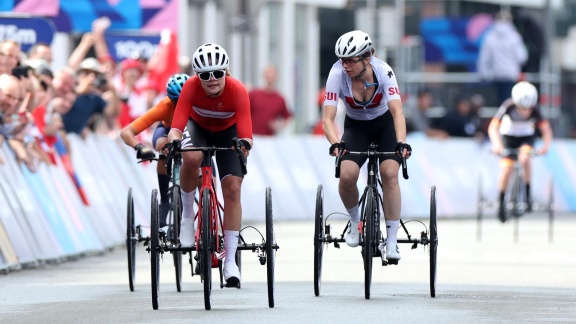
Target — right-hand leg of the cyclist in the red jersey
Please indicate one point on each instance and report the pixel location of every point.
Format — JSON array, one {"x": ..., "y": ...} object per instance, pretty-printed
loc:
[{"x": 231, "y": 183}]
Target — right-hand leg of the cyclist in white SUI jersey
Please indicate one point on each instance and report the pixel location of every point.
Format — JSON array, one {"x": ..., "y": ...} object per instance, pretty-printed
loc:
[{"x": 389, "y": 167}]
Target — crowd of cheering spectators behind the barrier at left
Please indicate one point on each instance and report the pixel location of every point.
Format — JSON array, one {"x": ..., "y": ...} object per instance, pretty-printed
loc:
[{"x": 40, "y": 108}]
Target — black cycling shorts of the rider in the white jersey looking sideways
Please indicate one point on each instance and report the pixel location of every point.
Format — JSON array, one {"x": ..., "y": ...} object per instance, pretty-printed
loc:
[{"x": 358, "y": 134}]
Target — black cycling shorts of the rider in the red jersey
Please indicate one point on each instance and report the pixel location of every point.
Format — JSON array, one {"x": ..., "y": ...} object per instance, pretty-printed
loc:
[{"x": 226, "y": 161}]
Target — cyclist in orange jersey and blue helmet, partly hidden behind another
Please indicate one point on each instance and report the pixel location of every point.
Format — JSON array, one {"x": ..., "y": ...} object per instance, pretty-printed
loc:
[{"x": 162, "y": 113}]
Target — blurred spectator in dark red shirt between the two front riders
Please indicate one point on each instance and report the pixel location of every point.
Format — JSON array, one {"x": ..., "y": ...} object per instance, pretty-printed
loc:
[{"x": 268, "y": 107}]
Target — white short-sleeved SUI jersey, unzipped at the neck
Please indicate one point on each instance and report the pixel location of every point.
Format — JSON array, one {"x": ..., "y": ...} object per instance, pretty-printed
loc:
[{"x": 339, "y": 85}]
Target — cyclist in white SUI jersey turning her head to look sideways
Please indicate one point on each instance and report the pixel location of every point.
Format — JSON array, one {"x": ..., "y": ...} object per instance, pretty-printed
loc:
[{"x": 369, "y": 90}]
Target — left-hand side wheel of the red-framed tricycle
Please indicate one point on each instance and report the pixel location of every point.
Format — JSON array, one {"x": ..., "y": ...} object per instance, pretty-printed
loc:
[{"x": 155, "y": 249}]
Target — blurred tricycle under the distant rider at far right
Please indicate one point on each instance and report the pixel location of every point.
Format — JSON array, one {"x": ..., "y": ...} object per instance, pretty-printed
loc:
[{"x": 516, "y": 202}]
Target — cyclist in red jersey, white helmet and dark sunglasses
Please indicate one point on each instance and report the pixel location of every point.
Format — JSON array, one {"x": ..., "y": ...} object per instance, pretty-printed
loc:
[{"x": 213, "y": 108}]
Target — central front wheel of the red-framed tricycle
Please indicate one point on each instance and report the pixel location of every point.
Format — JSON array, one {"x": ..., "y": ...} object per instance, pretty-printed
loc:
[{"x": 206, "y": 247}]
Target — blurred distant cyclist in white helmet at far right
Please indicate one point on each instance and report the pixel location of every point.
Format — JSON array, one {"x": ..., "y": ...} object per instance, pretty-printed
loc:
[{"x": 513, "y": 127}]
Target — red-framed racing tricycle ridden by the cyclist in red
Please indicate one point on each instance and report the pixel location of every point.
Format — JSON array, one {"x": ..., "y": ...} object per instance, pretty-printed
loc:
[{"x": 209, "y": 245}]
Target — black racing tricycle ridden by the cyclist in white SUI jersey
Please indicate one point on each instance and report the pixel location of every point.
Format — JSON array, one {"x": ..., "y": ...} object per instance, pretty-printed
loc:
[{"x": 372, "y": 241}]
